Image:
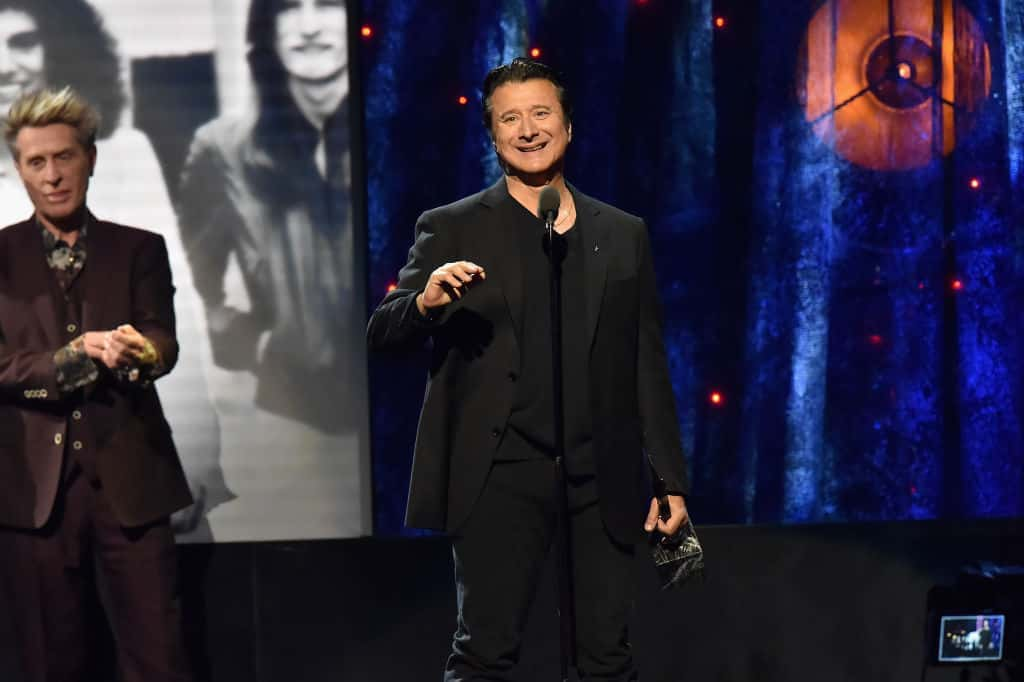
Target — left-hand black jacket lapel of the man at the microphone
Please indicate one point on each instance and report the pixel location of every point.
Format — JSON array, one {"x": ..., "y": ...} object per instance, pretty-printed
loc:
[{"x": 500, "y": 252}]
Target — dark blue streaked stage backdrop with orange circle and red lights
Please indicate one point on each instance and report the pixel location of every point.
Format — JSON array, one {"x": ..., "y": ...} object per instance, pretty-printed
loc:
[{"x": 830, "y": 190}]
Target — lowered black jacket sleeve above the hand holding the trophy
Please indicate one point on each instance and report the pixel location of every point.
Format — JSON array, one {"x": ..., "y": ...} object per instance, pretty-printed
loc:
[{"x": 658, "y": 405}]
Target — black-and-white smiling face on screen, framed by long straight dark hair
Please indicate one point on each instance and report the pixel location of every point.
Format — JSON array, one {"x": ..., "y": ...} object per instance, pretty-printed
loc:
[{"x": 312, "y": 39}]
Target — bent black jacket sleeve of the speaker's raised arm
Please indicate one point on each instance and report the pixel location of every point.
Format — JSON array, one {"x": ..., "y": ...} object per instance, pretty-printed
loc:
[{"x": 397, "y": 323}]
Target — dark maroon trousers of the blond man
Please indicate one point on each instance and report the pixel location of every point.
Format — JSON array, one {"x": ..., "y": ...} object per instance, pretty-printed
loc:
[{"x": 49, "y": 578}]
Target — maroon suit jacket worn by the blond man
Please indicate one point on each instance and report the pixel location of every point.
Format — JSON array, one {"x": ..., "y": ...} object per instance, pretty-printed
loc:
[{"x": 126, "y": 280}]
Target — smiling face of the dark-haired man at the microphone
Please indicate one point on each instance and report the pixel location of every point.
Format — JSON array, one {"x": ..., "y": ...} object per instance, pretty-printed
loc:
[{"x": 529, "y": 129}]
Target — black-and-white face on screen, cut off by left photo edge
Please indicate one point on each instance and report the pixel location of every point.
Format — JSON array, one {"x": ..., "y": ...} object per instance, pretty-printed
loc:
[{"x": 21, "y": 57}]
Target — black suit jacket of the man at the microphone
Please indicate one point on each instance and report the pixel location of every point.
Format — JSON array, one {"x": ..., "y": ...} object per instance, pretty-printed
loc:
[{"x": 476, "y": 359}]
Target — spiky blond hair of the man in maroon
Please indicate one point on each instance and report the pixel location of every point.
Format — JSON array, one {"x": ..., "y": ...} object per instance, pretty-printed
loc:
[{"x": 45, "y": 108}]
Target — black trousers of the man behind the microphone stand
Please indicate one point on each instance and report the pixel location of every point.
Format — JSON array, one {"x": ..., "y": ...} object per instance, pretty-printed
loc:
[{"x": 499, "y": 562}]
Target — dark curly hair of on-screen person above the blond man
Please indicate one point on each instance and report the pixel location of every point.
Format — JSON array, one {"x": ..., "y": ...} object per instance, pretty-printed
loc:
[{"x": 78, "y": 52}]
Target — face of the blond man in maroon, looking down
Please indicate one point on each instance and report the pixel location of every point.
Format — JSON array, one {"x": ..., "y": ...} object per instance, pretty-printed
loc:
[{"x": 56, "y": 169}]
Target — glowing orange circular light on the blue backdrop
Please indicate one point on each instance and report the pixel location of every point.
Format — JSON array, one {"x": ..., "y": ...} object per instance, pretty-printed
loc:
[{"x": 882, "y": 97}]
